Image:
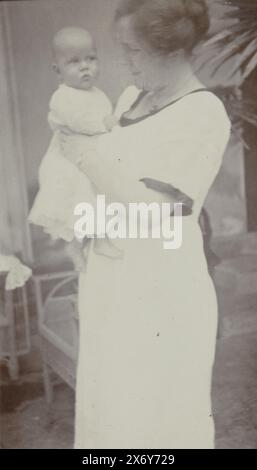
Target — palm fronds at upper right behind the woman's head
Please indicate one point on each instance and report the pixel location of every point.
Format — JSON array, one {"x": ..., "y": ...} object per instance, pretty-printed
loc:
[{"x": 234, "y": 44}]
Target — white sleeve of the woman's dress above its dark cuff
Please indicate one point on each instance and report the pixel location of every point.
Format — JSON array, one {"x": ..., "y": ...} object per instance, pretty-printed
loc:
[{"x": 191, "y": 157}]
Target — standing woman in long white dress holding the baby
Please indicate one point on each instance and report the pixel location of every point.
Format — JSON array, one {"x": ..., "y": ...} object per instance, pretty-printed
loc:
[{"x": 148, "y": 320}]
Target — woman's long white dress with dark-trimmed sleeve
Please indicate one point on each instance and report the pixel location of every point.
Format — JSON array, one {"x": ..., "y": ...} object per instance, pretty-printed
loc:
[{"x": 148, "y": 321}]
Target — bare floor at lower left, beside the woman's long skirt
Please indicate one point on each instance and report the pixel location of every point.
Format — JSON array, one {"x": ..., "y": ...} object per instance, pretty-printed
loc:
[{"x": 27, "y": 422}]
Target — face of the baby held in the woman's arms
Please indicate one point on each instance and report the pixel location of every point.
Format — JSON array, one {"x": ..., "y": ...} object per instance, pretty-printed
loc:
[{"x": 77, "y": 63}]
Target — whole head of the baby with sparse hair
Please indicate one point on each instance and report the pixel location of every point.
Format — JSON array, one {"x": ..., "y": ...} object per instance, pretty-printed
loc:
[{"x": 75, "y": 58}]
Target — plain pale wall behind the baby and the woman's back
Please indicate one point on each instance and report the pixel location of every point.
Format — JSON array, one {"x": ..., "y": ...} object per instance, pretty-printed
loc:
[{"x": 33, "y": 24}]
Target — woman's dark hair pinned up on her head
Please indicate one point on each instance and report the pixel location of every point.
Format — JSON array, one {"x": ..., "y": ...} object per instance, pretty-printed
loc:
[{"x": 168, "y": 25}]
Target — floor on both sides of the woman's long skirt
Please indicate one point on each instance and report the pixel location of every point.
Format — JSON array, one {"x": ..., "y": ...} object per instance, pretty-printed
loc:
[{"x": 28, "y": 422}]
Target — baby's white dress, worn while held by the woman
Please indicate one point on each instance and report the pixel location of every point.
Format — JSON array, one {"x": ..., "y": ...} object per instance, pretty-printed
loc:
[{"x": 62, "y": 185}]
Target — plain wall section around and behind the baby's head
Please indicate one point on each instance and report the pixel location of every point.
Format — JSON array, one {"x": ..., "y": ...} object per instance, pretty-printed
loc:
[{"x": 33, "y": 25}]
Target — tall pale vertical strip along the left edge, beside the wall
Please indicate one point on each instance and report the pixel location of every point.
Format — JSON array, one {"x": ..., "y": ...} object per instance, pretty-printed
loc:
[{"x": 14, "y": 233}]
